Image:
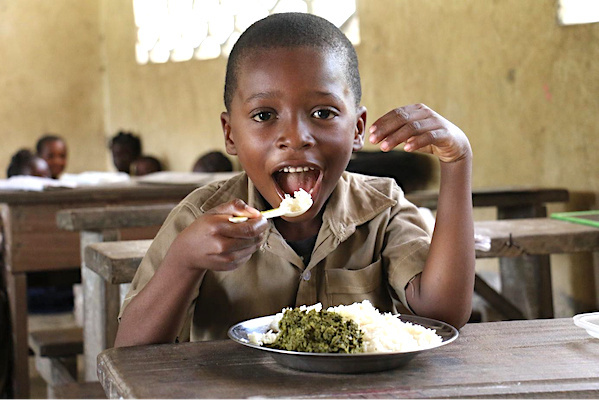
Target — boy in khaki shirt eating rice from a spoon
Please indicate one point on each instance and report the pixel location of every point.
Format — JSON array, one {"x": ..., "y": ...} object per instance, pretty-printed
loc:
[{"x": 292, "y": 94}]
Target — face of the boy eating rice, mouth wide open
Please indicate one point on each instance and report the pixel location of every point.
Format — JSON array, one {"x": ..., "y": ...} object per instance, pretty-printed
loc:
[{"x": 293, "y": 123}]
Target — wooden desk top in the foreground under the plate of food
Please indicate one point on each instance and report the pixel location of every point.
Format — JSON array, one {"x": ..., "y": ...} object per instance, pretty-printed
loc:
[{"x": 521, "y": 359}]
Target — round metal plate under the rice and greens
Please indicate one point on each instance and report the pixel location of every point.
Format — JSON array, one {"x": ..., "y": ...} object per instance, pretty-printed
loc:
[{"x": 340, "y": 363}]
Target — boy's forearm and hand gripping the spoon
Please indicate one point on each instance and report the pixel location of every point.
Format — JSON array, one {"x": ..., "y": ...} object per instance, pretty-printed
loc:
[{"x": 157, "y": 313}]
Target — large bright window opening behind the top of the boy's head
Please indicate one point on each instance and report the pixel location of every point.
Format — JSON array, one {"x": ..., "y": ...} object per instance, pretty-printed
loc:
[{"x": 181, "y": 30}]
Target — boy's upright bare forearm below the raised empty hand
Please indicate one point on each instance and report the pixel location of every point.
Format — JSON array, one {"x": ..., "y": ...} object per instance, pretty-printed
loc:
[{"x": 444, "y": 290}]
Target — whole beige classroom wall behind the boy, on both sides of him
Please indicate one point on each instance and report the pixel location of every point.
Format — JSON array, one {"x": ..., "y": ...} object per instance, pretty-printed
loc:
[{"x": 524, "y": 89}]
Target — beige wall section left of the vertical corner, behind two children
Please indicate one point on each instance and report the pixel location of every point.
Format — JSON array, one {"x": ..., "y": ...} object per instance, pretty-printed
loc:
[{"x": 51, "y": 78}]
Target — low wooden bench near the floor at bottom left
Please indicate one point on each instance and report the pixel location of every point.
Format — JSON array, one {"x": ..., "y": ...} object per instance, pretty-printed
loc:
[{"x": 56, "y": 352}]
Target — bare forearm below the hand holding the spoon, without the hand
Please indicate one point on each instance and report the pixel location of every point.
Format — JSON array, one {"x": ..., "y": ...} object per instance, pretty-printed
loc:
[{"x": 157, "y": 313}]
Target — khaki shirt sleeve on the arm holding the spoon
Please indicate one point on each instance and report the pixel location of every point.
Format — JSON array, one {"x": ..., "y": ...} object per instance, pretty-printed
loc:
[{"x": 183, "y": 215}]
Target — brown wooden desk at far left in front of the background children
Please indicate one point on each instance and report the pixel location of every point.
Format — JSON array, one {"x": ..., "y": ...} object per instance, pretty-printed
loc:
[{"x": 33, "y": 242}]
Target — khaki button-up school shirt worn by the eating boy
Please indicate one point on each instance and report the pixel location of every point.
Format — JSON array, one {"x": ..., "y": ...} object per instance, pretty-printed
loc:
[{"x": 371, "y": 244}]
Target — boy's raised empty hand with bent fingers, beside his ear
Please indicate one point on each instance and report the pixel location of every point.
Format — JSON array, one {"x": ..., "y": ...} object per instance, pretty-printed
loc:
[{"x": 421, "y": 129}]
